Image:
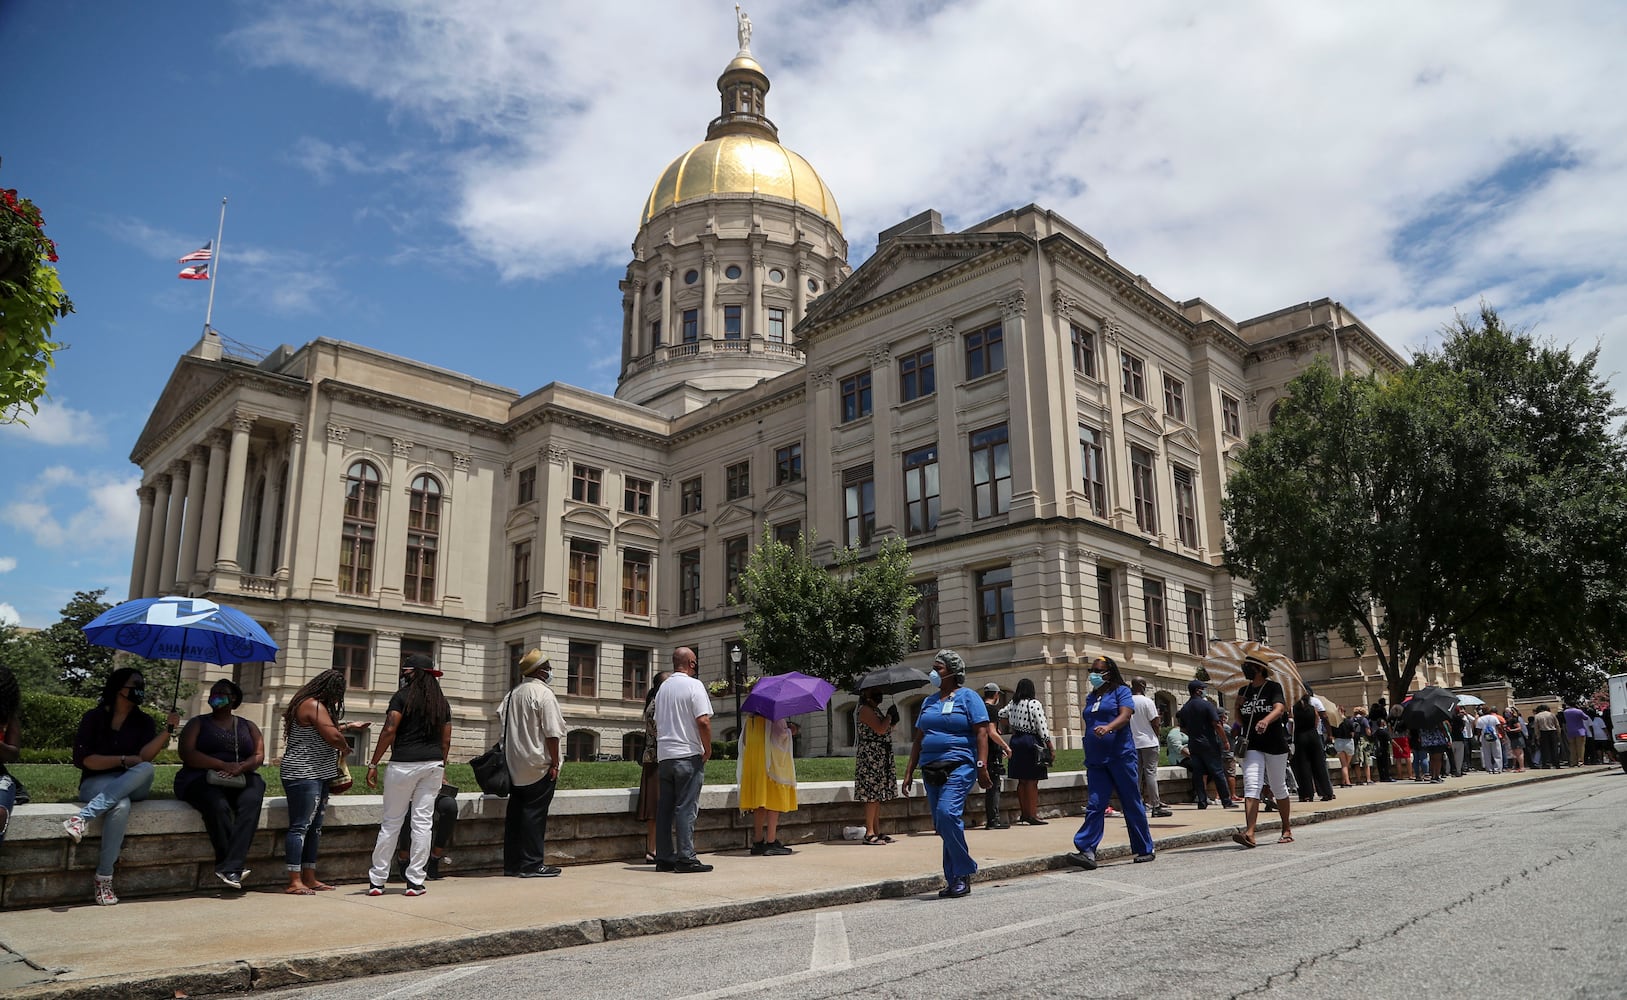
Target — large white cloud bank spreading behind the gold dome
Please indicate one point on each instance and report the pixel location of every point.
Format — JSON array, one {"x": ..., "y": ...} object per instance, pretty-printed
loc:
[{"x": 1250, "y": 154}]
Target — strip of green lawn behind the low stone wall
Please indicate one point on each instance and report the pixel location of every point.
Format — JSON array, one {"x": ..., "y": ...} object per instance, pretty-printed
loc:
[{"x": 59, "y": 783}]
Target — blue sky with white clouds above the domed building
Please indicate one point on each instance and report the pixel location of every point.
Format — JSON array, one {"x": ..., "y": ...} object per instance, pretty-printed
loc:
[{"x": 458, "y": 181}]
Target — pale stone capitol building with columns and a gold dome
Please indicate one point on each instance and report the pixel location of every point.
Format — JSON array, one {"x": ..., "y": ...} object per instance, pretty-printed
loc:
[{"x": 1049, "y": 432}]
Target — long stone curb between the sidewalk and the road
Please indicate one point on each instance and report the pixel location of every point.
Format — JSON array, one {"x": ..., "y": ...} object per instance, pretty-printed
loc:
[{"x": 328, "y": 967}]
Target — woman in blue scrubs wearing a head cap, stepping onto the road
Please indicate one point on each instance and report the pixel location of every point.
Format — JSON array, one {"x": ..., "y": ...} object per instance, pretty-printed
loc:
[{"x": 953, "y": 747}]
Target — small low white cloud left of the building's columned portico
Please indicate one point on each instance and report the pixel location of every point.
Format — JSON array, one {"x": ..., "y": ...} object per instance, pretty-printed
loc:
[{"x": 82, "y": 511}]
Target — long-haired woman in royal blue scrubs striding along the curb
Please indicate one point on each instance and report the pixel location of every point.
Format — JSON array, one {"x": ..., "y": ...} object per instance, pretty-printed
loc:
[{"x": 1110, "y": 767}]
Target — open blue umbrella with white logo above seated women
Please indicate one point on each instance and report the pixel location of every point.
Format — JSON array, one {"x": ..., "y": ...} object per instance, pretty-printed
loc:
[{"x": 183, "y": 628}]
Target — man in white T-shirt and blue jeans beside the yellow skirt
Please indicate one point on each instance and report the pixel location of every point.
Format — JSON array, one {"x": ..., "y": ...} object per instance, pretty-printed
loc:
[{"x": 683, "y": 750}]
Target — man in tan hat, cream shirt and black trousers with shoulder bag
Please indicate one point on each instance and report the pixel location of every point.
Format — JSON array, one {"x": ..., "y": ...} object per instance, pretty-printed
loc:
[{"x": 533, "y": 733}]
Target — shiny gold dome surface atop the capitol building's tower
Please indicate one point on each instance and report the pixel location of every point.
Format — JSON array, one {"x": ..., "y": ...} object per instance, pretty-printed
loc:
[{"x": 743, "y": 165}]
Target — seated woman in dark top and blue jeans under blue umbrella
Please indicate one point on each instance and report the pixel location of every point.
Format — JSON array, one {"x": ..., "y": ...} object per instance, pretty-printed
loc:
[{"x": 115, "y": 752}]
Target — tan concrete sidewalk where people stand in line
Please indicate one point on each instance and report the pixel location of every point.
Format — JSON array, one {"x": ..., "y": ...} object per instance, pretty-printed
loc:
[{"x": 217, "y": 944}]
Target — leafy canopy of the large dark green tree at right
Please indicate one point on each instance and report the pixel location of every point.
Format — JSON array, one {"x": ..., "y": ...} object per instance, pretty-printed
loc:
[{"x": 1480, "y": 493}]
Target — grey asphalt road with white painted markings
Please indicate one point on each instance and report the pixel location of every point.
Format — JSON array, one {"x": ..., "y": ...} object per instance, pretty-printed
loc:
[{"x": 1519, "y": 893}]
